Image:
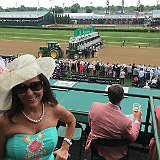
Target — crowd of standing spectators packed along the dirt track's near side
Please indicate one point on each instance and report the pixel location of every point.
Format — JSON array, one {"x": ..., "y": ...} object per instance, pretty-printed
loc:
[{"x": 140, "y": 74}]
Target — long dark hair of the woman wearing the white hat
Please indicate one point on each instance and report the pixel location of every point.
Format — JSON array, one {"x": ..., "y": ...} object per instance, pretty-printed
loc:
[{"x": 17, "y": 105}]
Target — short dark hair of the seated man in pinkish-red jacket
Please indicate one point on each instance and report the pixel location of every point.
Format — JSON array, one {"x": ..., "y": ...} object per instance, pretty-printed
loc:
[{"x": 115, "y": 93}]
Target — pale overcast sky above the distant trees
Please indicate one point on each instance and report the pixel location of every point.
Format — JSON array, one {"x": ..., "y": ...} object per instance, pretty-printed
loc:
[{"x": 61, "y": 3}]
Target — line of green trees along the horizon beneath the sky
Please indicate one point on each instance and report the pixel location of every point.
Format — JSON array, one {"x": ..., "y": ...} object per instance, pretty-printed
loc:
[{"x": 76, "y": 8}]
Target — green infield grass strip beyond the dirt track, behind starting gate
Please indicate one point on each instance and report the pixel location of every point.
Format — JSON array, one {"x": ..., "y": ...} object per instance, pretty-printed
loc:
[{"x": 62, "y": 36}]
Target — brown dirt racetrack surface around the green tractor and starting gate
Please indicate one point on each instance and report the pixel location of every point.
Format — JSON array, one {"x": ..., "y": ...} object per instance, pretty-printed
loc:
[{"x": 121, "y": 55}]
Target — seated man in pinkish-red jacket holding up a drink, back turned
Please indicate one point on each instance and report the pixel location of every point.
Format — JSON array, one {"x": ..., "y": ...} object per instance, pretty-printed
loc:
[{"x": 107, "y": 121}]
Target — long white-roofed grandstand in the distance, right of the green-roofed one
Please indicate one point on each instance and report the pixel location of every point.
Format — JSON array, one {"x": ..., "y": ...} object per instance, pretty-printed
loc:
[{"x": 116, "y": 19}]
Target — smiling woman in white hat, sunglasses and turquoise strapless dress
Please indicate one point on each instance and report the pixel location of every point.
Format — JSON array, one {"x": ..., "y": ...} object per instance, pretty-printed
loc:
[{"x": 28, "y": 127}]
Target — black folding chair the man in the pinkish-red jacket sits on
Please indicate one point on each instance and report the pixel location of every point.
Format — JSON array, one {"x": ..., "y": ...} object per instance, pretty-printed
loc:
[{"x": 108, "y": 143}]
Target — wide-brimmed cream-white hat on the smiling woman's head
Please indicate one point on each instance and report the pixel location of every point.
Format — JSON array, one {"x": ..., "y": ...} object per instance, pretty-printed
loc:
[{"x": 20, "y": 70}]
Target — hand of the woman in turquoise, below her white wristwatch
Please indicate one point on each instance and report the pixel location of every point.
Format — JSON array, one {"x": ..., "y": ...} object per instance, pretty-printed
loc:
[{"x": 61, "y": 154}]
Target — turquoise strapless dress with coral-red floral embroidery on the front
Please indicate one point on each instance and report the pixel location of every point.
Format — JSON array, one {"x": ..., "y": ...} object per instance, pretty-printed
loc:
[{"x": 32, "y": 147}]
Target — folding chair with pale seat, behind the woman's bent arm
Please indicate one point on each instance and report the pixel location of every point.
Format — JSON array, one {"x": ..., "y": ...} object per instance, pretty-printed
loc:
[{"x": 78, "y": 136}]
